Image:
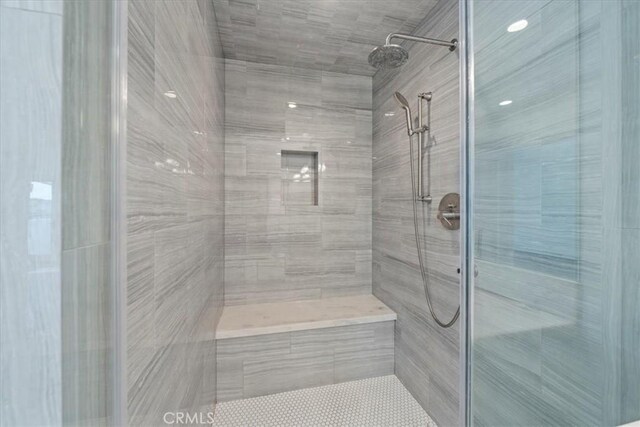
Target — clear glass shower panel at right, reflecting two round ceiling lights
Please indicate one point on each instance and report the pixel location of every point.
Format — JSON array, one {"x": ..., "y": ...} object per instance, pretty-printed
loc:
[{"x": 555, "y": 329}]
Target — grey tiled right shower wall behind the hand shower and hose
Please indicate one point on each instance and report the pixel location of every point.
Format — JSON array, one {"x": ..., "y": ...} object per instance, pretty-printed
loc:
[{"x": 427, "y": 356}]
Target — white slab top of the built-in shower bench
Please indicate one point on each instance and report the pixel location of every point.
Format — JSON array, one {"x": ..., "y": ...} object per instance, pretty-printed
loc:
[{"x": 271, "y": 318}]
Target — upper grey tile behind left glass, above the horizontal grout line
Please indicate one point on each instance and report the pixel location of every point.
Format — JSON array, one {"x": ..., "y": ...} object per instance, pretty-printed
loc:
[{"x": 86, "y": 155}]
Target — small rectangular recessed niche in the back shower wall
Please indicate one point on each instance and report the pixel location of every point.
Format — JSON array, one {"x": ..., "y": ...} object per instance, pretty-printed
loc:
[{"x": 299, "y": 177}]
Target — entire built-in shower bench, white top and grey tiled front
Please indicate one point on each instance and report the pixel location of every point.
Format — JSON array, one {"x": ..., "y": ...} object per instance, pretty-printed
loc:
[{"x": 275, "y": 347}]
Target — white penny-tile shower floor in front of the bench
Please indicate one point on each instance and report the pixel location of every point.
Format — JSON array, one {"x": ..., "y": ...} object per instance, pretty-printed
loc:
[{"x": 380, "y": 401}]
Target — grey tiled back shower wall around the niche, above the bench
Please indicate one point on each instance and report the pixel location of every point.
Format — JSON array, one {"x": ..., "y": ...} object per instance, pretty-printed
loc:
[{"x": 277, "y": 251}]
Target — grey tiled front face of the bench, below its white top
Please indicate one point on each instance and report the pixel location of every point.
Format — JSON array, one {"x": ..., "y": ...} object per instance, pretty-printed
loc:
[{"x": 267, "y": 364}]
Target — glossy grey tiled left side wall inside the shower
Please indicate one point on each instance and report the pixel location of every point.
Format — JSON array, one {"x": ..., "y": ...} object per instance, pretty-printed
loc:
[{"x": 175, "y": 131}]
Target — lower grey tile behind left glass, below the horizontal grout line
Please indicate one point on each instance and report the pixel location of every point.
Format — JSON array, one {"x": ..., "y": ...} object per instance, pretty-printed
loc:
[{"x": 86, "y": 336}]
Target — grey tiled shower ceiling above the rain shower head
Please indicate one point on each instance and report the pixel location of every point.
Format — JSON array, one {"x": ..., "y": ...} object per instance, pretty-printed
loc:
[{"x": 334, "y": 35}]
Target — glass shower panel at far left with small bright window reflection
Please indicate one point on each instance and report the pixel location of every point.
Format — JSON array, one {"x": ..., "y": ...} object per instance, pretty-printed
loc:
[{"x": 56, "y": 306}]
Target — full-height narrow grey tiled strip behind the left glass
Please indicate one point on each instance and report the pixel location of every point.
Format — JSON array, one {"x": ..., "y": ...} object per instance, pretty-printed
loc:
[{"x": 87, "y": 283}]
